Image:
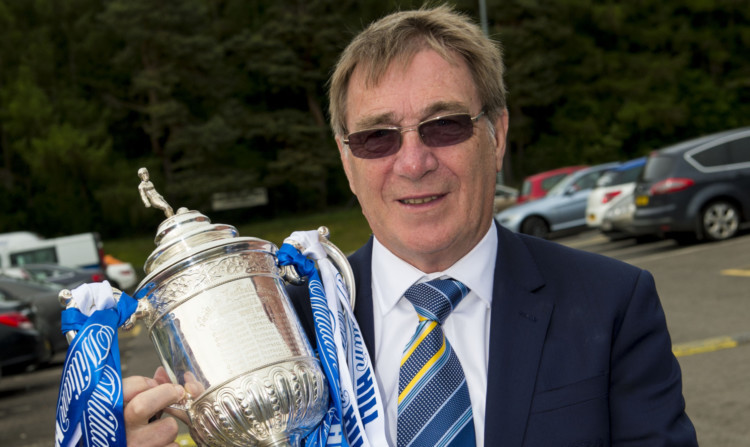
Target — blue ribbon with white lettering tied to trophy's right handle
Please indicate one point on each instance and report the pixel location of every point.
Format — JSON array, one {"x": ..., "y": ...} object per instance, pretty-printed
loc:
[{"x": 319, "y": 437}]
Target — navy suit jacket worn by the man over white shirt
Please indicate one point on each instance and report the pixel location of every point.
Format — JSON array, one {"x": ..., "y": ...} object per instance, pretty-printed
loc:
[{"x": 579, "y": 356}]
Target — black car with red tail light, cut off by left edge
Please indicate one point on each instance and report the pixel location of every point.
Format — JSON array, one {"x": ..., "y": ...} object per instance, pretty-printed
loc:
[{"x": 21, "y": 345}]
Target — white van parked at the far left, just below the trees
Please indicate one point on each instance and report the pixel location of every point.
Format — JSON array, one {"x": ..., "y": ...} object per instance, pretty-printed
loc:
[{"x": 79, "y": 251}]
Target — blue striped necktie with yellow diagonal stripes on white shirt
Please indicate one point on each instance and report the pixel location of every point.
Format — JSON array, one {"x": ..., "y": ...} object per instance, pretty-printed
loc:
[{"x": 434, "y": 408}]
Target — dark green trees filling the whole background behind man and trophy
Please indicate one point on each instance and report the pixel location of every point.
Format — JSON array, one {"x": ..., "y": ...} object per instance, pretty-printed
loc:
[{"x": 228, "y": 95}]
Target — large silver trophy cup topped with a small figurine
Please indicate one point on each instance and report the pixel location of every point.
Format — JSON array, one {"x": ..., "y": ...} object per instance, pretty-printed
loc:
[{"x": 221, "y": 320}]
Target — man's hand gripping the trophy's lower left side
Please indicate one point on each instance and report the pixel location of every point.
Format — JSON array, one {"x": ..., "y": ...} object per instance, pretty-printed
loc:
[{"x": 145, "y": 398}]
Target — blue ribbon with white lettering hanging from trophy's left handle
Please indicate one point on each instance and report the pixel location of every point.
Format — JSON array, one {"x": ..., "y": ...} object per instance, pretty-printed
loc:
[{"x": 90, "y": 402}]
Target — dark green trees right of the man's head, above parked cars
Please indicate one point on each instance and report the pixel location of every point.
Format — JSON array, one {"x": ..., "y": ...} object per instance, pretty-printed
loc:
[{"x": 594, "y": 81}]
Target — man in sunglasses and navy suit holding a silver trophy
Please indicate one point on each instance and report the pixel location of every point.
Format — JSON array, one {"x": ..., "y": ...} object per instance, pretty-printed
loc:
[{"x": 558, "y": 347}]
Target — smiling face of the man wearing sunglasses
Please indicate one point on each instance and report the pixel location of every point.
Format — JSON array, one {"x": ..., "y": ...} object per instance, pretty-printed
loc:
[{"x": 428, "y": 205}]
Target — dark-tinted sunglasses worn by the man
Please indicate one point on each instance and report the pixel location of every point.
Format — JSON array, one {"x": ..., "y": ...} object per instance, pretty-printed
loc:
[{"x": 435, "y": 132}]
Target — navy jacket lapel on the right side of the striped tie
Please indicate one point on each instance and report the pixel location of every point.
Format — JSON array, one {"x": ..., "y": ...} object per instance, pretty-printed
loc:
[{"x": 518, "y": 327}]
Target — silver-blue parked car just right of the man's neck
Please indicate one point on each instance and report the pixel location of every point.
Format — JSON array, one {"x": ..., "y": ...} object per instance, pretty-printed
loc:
[{"x": 564, "y": 207}]
